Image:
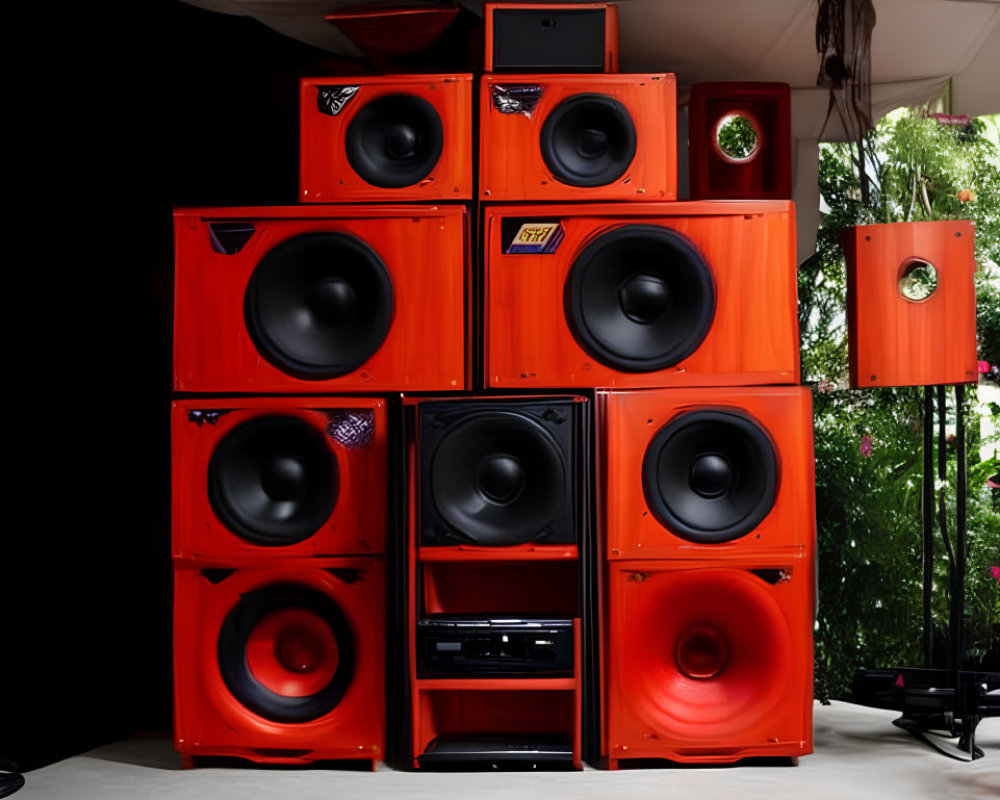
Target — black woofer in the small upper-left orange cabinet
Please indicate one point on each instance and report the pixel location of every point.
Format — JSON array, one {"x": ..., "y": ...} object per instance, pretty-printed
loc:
[{"x": 394, "y": 141}]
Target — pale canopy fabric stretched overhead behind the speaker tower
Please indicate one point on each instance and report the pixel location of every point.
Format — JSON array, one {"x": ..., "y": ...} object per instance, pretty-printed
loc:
[{"x": 918, "y": 46}]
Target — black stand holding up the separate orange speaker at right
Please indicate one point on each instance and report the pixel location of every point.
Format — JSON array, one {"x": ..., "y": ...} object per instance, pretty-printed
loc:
[{"x": 940, "y": 705}]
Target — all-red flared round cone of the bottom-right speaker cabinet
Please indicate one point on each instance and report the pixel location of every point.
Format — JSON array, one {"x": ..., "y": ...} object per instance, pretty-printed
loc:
[{"x": 717, "y": 663}]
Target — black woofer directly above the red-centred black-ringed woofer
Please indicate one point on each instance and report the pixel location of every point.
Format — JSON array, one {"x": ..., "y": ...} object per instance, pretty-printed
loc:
[{"x": 273, "y": 480}]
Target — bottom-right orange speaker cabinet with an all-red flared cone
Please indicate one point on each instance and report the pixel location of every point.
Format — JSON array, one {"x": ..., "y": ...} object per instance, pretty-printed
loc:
[{"x": 709, "y": 663}]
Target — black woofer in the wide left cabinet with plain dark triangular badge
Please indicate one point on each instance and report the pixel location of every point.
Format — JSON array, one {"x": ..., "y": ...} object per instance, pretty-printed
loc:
[{"x": 319, "y": 305}]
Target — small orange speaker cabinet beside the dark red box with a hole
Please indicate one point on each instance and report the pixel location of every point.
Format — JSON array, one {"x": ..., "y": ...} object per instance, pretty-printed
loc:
[{"x": 577, "y": 137}]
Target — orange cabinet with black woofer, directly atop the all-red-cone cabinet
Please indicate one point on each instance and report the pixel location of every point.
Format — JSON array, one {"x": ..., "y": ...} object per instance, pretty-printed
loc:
[{"x": 708, "y": 473}]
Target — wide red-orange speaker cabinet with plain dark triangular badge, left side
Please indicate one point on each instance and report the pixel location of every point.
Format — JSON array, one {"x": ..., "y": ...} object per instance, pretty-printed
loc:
[{"x": 320, "y": 299}]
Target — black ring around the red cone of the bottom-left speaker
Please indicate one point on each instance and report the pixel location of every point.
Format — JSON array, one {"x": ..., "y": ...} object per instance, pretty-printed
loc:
[{"x": 236, "y": 674}]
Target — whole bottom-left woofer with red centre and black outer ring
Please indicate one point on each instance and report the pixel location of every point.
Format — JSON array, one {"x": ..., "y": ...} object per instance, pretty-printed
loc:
[{"x": 286, "y": 652}]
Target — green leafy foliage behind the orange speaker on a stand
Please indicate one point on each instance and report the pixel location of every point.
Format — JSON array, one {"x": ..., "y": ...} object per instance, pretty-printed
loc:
[{"x": 869, "y": 443}]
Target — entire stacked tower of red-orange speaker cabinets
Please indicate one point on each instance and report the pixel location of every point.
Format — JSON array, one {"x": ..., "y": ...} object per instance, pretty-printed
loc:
[{"x": 568, "y": 492}]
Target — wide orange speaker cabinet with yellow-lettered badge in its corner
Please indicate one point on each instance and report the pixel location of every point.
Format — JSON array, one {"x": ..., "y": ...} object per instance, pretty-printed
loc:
[{"x": 671, "y": 294}]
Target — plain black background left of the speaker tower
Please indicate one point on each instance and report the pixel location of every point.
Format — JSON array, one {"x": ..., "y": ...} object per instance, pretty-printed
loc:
[{"x": 120, "y": 113}]
